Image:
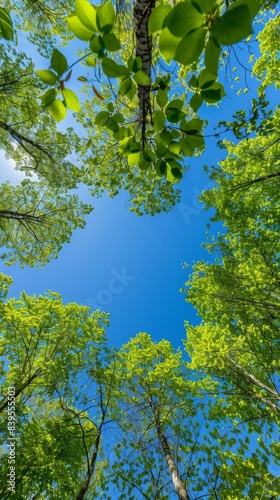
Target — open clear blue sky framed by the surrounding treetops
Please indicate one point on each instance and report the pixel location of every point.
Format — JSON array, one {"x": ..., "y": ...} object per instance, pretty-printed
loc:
[{"x": 131, "y": 266}]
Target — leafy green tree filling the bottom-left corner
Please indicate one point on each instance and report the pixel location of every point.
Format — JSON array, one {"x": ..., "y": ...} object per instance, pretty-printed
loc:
[{"x": 46, "y": 348}]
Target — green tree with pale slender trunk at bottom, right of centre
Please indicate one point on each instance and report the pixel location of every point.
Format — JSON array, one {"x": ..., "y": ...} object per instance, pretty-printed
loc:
[{"x": 170, "y": 442}]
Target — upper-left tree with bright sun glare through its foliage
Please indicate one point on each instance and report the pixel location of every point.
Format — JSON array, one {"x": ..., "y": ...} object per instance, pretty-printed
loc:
[{"x": 27, "y": 135}]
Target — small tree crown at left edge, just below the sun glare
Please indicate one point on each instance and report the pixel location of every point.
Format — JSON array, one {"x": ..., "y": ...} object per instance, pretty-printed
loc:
[{"x": 35, "y": 221}]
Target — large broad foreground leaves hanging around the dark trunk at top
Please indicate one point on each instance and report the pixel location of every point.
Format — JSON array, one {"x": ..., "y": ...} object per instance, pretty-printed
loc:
[{"x": 172, "y": 133}]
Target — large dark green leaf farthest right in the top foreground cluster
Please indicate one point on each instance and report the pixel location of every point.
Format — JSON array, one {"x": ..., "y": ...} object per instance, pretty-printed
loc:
[{"x": 233, "y": 26}]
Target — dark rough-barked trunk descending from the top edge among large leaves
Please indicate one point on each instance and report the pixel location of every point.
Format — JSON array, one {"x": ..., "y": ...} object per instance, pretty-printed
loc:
[{"x": 141, "y": 12}]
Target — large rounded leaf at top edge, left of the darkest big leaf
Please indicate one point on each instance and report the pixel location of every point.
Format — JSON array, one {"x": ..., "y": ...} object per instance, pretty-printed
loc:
[{"x": 183, "y": 19}]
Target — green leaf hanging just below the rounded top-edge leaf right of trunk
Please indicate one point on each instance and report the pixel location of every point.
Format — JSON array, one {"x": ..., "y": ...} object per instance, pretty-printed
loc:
[{"x": 190, "y": 47}]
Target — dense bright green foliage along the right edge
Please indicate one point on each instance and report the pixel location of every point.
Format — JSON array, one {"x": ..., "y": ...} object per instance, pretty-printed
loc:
[{"x": 237, "y": 297}]
